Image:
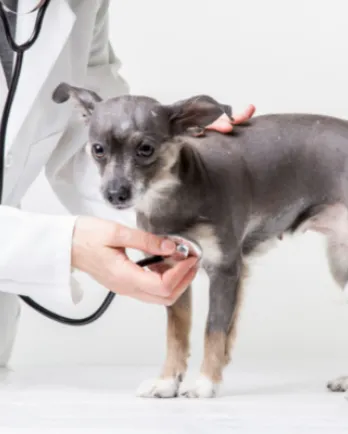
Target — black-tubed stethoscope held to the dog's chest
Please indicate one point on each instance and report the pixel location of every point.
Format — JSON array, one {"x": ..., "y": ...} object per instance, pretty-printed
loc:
[{"x": 185, "y": 247}]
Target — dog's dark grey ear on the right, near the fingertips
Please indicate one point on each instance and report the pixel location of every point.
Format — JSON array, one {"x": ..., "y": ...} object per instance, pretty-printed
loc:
[{"x": 196, "y": 112}]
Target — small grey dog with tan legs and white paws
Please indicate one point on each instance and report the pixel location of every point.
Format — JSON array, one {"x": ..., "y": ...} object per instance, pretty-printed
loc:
[{"x": 233, "y": 194}]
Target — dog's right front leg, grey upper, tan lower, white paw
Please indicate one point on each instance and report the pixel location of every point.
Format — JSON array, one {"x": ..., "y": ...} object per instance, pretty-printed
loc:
[{"x": 225, "y": 300}]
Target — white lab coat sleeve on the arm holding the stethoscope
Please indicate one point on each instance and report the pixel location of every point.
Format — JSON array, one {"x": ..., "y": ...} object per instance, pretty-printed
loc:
[{"x": 35, "y": 254}]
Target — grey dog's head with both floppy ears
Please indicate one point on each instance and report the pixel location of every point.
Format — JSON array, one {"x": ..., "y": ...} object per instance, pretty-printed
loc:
[{"x": 132, "y": 140}]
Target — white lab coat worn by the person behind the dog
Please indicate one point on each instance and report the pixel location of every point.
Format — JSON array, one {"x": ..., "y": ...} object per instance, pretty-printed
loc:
[{"x": 73, "y": 47}]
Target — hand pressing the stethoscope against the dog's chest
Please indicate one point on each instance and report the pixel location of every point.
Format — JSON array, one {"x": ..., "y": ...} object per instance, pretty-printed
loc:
[{"x": 98, "y": 249}]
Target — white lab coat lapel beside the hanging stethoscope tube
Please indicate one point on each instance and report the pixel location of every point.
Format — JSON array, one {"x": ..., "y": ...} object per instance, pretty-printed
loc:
[{"x": 39, "y": 59}]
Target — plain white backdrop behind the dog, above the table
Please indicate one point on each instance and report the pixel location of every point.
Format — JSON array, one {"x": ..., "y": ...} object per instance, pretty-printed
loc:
[{"x": 281, "y": 56}]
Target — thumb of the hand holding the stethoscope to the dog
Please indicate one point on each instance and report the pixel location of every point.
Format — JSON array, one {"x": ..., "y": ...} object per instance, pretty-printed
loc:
[{"x": 140, "y": 240}]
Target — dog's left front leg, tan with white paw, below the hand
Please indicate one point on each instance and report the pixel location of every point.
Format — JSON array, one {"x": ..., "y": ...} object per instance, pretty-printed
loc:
[{"x": 178, "y": 331}]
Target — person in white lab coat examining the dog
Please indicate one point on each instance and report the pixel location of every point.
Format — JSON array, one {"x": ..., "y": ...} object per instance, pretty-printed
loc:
[{"x": 38, "y": 251}]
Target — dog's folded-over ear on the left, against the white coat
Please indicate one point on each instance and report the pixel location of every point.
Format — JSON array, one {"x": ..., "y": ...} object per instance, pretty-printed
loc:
[{"x": 85, "y": 99}]
